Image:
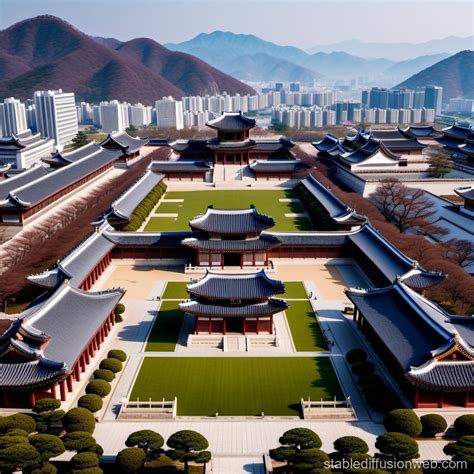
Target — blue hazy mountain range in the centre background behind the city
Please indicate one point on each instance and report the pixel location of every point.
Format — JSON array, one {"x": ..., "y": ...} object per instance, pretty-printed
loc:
[{"x": 241, "y": 56}]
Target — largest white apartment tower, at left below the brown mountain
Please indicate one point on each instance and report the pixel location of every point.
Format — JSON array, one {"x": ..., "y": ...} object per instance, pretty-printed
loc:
[{"x": 56, "y": 115}]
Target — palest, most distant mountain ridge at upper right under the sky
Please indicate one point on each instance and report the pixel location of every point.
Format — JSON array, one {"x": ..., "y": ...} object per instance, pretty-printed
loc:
[{"x": 398, "y": 51}]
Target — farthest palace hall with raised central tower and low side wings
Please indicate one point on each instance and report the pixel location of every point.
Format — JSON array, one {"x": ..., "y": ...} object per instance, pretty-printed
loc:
[{"x": 267, "y": 158}]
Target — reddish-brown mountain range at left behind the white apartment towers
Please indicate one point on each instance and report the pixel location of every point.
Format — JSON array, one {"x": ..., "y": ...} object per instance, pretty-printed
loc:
[{"x": 46, "y": 52}]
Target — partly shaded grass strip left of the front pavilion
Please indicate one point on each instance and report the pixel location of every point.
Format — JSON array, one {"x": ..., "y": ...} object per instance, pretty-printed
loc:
[{"x": 165, "y": 331}]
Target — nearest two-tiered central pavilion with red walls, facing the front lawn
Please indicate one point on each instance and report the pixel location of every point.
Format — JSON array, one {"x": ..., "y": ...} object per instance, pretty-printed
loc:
[{"x": 242, "y": 303}]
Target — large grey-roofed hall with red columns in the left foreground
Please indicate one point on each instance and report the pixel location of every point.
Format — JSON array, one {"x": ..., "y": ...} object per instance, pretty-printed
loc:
[{"x": 44, "y": 350}]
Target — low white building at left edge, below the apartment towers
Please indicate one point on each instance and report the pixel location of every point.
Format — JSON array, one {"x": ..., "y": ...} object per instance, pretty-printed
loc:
[{"x": 21, "y": 151}]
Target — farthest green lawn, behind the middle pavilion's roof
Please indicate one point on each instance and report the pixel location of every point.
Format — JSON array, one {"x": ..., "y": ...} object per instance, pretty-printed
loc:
[{"x": 196, "y": 202}]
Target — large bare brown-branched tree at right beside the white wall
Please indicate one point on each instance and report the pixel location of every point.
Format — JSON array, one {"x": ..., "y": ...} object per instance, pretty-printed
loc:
[{"x": 405, "y": 207}]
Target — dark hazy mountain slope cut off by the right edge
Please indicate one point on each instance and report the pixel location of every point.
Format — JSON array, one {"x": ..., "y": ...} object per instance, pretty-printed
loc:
[{"x": 455, "y": 74}]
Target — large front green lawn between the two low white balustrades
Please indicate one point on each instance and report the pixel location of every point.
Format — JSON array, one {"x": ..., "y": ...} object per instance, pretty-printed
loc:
[{"x": 236, "y": 386}]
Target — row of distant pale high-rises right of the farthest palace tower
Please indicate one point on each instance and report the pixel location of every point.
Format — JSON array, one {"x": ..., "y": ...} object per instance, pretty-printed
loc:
[{"x": 347, "y": 112}]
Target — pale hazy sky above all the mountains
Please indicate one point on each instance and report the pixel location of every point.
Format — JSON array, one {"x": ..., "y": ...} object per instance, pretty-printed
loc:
[{"x": 300, "y": 23}]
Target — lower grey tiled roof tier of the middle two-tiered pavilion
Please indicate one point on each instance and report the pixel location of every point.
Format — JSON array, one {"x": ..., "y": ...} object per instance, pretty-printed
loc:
[{"x": 263, "y": 242}]
